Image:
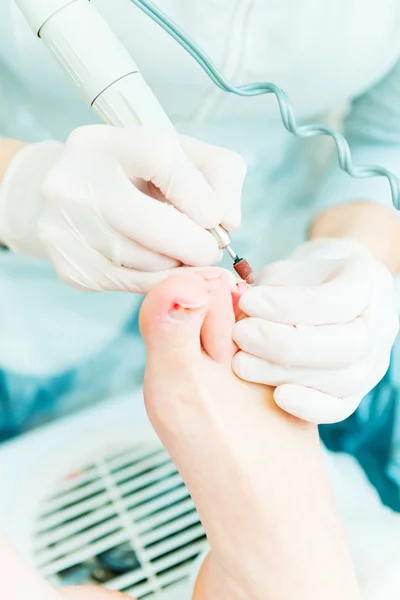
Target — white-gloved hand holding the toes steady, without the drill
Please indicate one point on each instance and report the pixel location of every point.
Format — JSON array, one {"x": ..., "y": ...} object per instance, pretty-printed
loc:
[{"x": 320, "y": 328}]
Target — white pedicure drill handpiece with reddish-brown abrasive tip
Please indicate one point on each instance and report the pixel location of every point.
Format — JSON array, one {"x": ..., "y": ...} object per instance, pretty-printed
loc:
[{"x": 105, "y": 74}]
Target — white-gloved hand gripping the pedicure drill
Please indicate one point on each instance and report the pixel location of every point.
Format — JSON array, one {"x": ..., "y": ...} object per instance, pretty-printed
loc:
[{"x": 92, "y": 206}]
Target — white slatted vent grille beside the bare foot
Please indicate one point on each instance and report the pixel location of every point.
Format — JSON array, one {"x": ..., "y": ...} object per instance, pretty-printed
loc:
[{"x": 125, "y": 521}]
